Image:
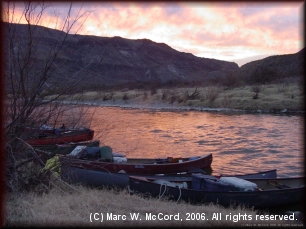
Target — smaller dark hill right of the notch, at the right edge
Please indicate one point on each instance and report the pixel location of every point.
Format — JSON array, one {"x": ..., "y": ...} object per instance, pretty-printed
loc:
[{"x": 274, "y": 68}]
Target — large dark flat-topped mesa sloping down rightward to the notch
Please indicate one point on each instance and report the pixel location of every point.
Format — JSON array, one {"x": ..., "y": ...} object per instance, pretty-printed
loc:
[{"x": 110, "y": 61}]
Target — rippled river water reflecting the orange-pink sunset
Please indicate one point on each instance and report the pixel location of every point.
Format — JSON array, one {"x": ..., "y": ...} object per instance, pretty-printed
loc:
[{"x": 240, "y": 143}]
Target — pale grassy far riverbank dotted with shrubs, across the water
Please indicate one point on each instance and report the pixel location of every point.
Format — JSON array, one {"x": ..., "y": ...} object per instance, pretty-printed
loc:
[{"x": 273, "y": 98}]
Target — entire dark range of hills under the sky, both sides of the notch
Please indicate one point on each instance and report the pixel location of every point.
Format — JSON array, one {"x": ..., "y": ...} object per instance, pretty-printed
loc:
[{"x": 118, "y": 61}]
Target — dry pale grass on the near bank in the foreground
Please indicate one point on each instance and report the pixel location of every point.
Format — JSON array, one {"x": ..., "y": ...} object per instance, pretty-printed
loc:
[{"x": 73, "y": 208}]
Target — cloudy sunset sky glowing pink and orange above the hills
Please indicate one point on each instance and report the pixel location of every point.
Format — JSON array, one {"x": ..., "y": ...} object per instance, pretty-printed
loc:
[{"x": 231, "y": 31}]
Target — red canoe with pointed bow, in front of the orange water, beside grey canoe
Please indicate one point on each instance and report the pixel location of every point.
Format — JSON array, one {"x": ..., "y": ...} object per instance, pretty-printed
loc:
[{"x": 141, "y": 166}]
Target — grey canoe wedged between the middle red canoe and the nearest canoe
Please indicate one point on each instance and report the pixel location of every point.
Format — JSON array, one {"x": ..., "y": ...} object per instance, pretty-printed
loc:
[{"x": 95, "y": 178}]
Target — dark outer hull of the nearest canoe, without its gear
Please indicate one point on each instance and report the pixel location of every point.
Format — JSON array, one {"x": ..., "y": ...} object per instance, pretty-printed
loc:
[{"x": 256, "y": 199}]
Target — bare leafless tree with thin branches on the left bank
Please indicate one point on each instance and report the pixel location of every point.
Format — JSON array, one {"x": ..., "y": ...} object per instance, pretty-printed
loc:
[{"x": 32, "y": 87}]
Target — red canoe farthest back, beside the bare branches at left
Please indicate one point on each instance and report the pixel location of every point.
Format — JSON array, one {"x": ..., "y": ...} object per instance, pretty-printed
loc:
[{"x": 79, "y": 135}]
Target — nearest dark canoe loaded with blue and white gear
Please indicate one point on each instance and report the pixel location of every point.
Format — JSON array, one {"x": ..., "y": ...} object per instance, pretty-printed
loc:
[{"x": 257, "y": 193}]
